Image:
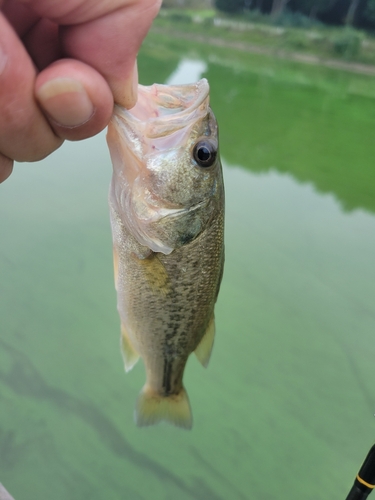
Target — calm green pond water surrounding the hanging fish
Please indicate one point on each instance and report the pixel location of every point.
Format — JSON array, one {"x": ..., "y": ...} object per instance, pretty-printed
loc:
[{"x": 285, "y": 408}]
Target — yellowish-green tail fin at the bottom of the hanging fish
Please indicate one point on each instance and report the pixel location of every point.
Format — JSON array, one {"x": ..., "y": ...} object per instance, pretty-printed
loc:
[{"x": 152, "y": 408}]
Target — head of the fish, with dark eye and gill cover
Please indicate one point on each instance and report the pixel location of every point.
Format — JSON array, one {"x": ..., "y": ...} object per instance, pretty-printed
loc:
[{"x": 167, "y": 180}]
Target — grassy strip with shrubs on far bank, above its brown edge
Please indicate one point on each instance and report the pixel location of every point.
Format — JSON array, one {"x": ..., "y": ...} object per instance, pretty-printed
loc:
[{"x": 312, "y": 40}]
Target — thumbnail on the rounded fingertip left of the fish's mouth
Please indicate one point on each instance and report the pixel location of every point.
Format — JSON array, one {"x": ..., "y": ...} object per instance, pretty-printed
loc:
[{"x": 66, "y": 102}]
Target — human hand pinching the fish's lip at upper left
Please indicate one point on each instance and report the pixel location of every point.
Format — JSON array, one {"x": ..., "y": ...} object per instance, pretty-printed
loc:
[{"x": 62, "y": 63}]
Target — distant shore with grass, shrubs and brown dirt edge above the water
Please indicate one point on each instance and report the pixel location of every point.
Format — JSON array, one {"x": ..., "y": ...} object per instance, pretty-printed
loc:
[{"x": 339, "y": 48}]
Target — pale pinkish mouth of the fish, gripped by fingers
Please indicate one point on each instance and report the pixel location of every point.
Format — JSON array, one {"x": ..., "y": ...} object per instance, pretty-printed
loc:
[{"x": 164, "y": 109}]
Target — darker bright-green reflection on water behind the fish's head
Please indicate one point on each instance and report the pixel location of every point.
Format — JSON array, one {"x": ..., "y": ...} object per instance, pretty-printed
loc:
[{"x": 318, "y": 129}]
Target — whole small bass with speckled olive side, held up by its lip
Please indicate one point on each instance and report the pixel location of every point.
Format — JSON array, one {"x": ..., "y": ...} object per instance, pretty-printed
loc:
[{"x": 166, "y": 204}]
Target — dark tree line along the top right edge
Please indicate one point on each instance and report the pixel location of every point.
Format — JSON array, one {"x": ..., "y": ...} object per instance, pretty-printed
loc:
[{"x": 358, "y": 13}]
